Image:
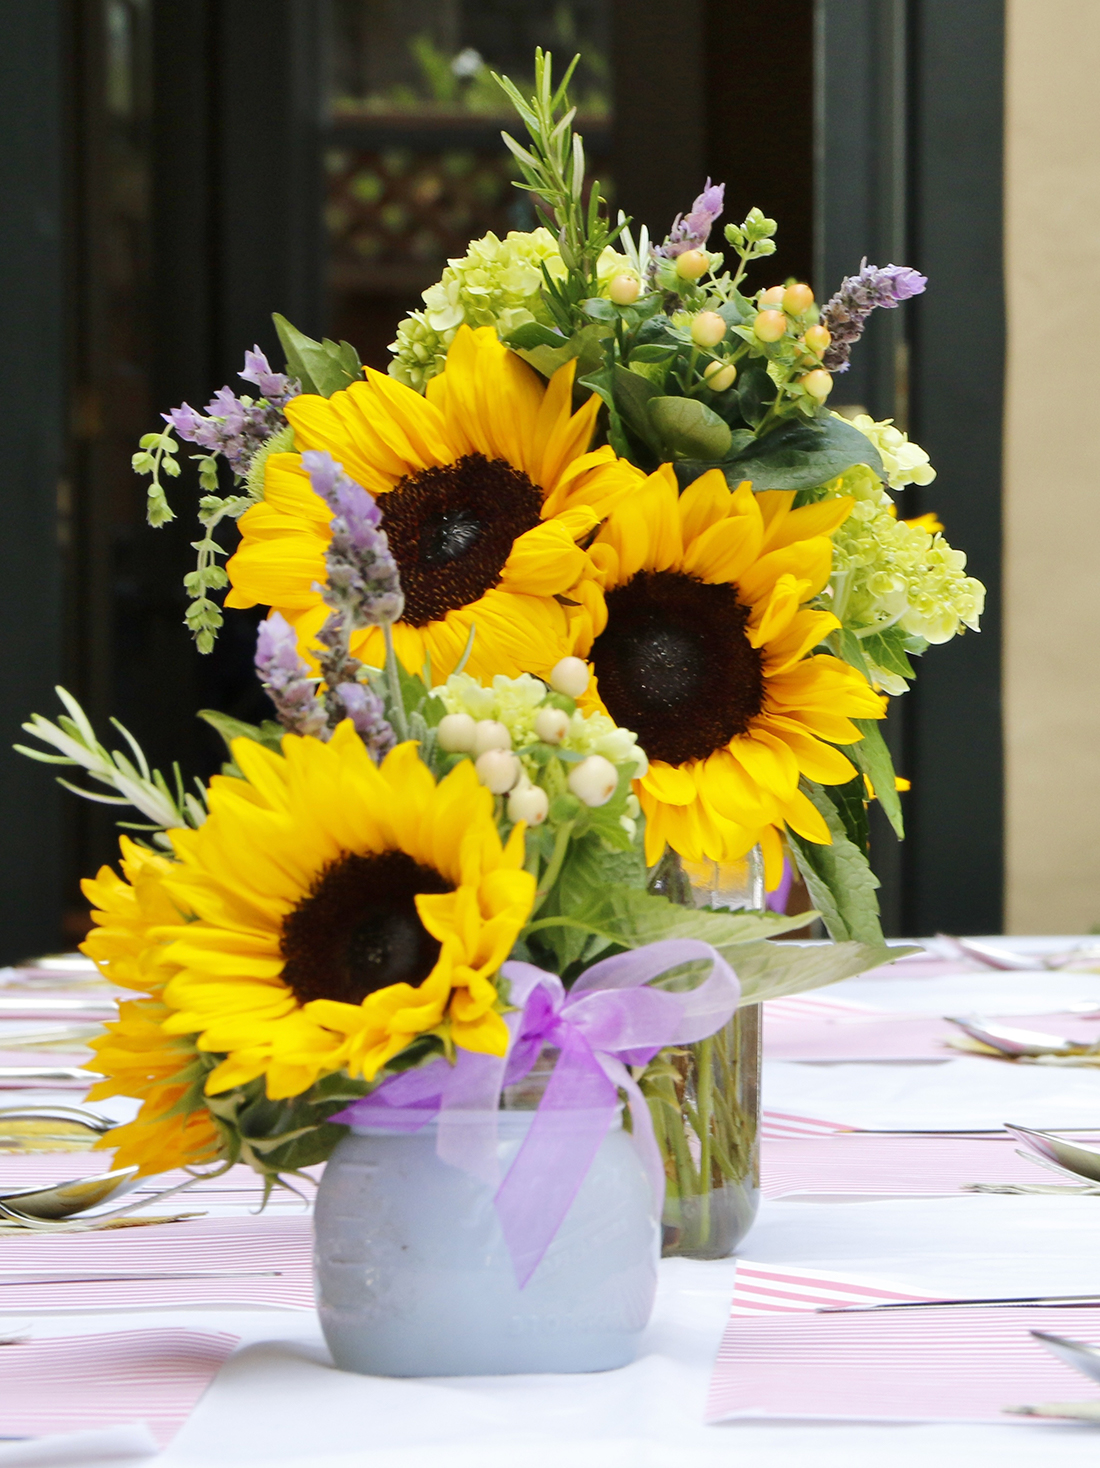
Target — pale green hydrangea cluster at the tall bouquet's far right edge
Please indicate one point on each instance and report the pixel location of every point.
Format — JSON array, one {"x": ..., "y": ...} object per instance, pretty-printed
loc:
[{"x": 888, "y": 573}]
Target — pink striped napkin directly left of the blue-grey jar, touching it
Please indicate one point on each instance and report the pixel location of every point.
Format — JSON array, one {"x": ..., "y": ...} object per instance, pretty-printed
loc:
[{"x": 237, "y": 1260}]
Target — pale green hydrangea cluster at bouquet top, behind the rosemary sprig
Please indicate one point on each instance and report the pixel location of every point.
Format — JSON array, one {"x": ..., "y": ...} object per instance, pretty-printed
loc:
[{"x": 499, "y": 283}]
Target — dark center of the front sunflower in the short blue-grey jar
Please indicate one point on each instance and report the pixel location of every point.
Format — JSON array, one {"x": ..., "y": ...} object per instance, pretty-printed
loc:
[{"x": 359, "y": 931}]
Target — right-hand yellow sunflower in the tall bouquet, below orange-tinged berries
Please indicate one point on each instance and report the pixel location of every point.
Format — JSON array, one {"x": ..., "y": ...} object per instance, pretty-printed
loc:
[{"x": 701, "y": 644}]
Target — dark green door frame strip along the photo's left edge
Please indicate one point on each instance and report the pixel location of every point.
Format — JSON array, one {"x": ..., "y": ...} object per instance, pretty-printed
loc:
[{"x": 33, "y": 470}]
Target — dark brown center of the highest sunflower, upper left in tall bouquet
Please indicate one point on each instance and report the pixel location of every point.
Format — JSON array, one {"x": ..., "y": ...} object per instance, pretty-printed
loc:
[{"x": 452, "y": 531}]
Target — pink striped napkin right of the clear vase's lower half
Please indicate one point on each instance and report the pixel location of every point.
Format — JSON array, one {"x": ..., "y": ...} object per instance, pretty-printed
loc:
[{"x": 878, "y": 1165}]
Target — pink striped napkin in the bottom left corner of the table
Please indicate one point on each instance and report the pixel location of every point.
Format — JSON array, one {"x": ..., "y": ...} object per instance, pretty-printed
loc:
[{"x": 67, "y": 1384}]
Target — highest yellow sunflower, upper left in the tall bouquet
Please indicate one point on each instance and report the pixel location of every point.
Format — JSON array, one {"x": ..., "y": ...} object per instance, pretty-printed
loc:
[{"x": 487, "y": 485}]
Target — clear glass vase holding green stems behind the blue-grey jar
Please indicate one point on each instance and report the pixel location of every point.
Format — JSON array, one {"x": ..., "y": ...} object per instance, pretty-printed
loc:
[{"x": 706, "y": 1097}]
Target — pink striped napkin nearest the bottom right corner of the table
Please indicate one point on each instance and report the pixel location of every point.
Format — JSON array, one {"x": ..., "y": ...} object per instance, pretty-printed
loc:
[{"x": 957, "y": 1365}]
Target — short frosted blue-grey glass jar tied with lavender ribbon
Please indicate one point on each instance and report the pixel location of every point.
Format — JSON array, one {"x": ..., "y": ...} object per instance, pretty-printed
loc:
[{"x": 415, "y": 1279}]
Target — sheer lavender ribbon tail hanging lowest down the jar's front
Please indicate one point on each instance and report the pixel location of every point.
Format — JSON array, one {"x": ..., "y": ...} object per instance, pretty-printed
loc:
[{"x": 566, "y": 1134}]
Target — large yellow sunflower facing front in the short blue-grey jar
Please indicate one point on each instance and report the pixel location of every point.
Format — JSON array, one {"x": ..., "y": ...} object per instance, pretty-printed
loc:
[{"x": 340, "y": 911}]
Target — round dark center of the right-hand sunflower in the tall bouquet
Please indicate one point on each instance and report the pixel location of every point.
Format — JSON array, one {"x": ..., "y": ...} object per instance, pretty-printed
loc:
[{"x": 676, "y": 667}]
